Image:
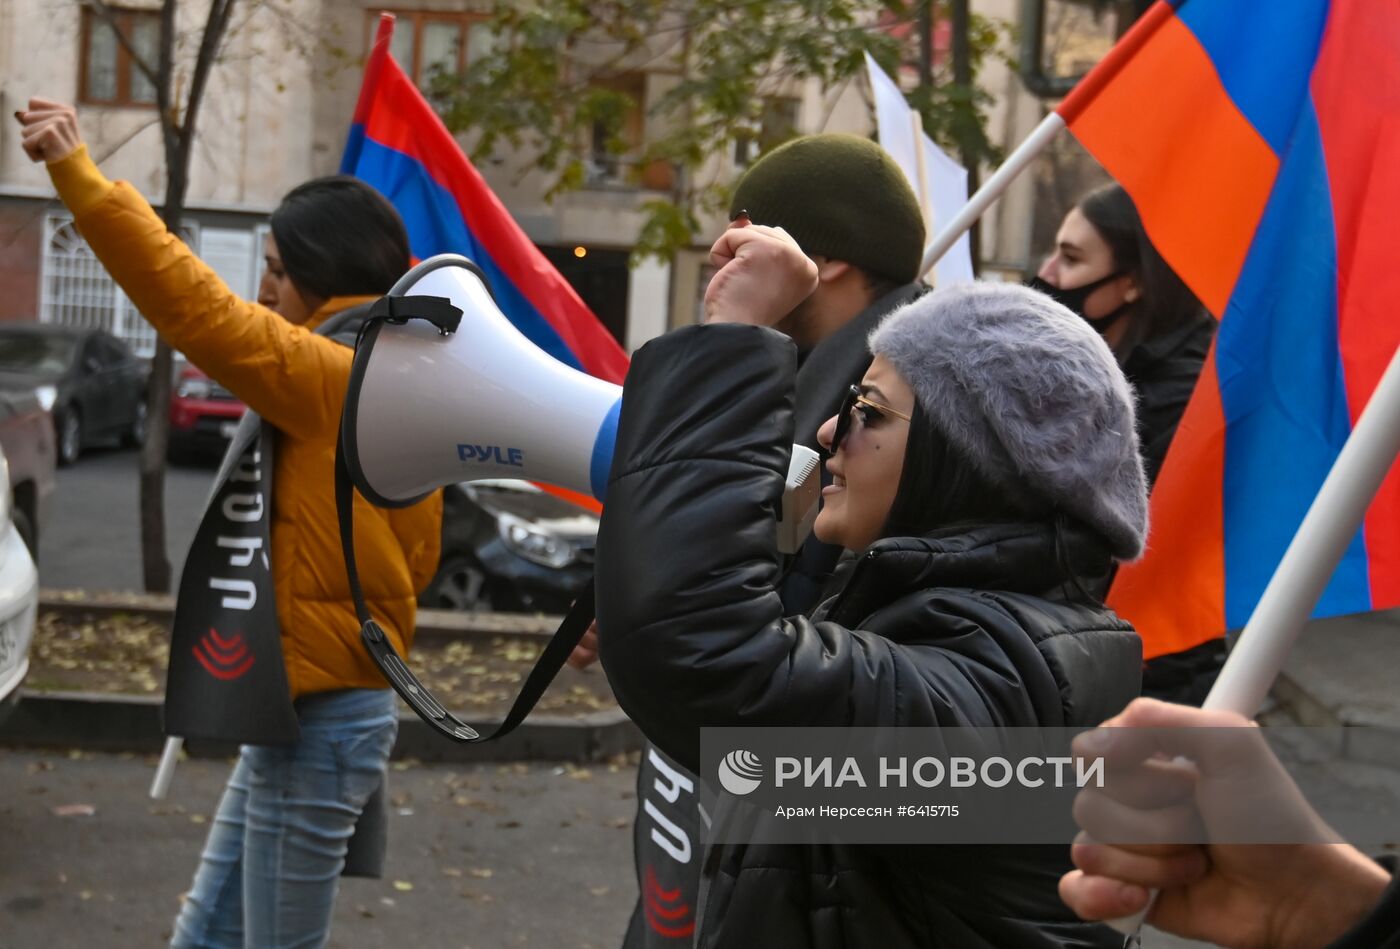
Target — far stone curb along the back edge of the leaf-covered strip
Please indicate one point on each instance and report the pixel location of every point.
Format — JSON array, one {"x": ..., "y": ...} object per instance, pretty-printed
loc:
[{"x": 160, "y": 608}]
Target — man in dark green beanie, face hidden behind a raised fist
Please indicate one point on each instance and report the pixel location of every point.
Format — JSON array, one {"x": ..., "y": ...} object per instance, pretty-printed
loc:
[{"x": 850, "y": 209}]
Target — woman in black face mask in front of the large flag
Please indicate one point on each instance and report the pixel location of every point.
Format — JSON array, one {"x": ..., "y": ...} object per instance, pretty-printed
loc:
[{"x": 1105, "y": 269}]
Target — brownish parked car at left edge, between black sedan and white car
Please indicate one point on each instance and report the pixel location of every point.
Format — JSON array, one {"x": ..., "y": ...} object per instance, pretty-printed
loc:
[{"x": 29, "y": 443}]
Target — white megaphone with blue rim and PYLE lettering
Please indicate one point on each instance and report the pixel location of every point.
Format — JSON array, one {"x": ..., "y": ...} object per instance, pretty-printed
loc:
[{"x": 429, "y": 408}]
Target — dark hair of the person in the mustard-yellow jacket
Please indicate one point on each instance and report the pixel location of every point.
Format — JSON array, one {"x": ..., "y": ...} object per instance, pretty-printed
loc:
[{"x": 338, "y": 237}]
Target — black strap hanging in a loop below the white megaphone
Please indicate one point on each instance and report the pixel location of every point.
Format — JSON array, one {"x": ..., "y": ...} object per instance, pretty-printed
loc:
[{"x": 419, "y": 698}]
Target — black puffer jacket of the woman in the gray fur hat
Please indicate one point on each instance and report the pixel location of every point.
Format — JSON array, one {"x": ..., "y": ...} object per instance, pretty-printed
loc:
[{"x": 968, "y": 629}]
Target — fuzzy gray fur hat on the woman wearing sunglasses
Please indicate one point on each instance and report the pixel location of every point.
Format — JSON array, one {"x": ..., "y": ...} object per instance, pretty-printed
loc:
[{"x": 1031, "y": 395}]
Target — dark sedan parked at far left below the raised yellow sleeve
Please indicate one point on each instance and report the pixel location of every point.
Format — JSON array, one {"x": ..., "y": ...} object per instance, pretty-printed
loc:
[{"x": 92, "y": 381}]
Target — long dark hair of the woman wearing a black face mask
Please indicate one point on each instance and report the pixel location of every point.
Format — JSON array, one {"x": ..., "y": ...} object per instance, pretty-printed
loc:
[{"x": 1167, "y": 303}]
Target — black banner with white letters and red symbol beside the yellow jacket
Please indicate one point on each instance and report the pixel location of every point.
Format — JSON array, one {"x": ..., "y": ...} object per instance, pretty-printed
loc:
[{"x": 226, "y": 677}]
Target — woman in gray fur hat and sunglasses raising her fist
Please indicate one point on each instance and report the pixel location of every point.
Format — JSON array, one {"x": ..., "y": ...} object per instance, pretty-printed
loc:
[{"x": 986, "y": 471}]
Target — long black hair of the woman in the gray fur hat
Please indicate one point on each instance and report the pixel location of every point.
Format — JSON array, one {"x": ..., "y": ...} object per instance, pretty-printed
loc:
[{"x": 940, "y": 491}]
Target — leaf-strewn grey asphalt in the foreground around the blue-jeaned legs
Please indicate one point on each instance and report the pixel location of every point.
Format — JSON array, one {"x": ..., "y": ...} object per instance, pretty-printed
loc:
[{"x": 481, "y": 857}]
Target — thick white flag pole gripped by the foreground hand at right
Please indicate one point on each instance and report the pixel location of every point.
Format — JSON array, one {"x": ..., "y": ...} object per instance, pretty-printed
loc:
[{"x": 1312, "y": 556}]
